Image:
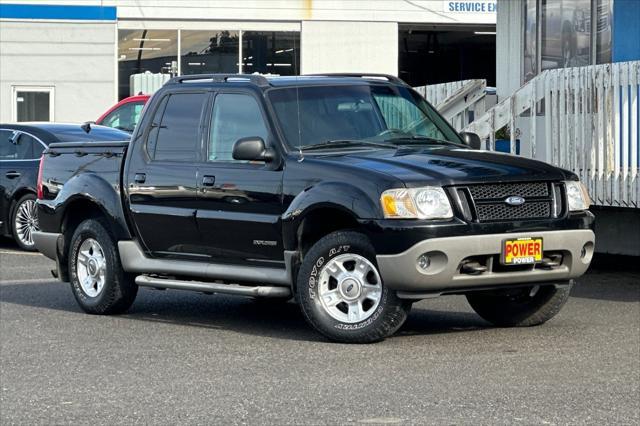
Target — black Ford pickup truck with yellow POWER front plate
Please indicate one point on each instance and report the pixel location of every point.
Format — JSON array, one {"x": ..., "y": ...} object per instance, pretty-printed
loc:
[{"x": 348, "y": 192}]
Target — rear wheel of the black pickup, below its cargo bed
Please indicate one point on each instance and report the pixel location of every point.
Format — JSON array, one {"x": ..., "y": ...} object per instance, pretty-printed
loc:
[{"x": 98, "y": 282}]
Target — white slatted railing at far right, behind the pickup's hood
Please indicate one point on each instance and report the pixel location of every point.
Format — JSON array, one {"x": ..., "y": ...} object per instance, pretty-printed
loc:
[{"x": 584, "y": 119}]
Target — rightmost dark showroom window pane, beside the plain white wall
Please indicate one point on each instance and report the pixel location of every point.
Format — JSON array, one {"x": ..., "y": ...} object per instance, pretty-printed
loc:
[{"x": 271, "y": 52}]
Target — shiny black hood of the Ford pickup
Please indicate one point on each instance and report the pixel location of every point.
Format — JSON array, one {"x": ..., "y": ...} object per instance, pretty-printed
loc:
[{"x": 447, "y": 166}]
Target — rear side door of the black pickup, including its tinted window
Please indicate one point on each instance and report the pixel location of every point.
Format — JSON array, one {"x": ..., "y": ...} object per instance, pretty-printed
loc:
[{"x": 161, "y": 176}]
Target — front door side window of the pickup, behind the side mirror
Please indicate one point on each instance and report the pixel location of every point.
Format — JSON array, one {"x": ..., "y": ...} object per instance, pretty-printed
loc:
[{"x": 234, "y": 116}]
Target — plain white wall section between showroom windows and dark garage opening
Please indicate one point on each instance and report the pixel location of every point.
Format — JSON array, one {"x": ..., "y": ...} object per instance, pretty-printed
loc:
[{"x": 349, "y": 47}]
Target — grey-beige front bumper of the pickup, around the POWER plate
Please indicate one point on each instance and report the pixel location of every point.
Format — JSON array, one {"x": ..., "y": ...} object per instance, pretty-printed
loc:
[{"x": 402, "y": 273}]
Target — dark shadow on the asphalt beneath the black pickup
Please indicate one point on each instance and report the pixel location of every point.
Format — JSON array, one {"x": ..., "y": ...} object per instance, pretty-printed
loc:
[{"x": 217, "y": 312}]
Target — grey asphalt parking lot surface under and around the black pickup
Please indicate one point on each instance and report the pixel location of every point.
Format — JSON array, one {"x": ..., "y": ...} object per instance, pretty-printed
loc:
[{"x": 191, "y": 358}]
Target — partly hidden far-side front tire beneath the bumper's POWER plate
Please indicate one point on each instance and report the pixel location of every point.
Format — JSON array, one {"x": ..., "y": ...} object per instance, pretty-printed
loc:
[{"x": 521, "y": 307}]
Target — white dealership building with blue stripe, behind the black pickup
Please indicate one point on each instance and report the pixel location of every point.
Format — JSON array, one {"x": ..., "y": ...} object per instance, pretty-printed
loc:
[{"x": 70, "y": 60}]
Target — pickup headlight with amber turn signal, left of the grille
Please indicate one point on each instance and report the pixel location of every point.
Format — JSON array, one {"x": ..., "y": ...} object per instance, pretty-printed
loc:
[{"x": 429, "y": 202}]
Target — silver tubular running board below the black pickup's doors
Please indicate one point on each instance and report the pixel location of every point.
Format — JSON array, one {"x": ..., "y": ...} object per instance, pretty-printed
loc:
[{"x": 205, "y": 287}]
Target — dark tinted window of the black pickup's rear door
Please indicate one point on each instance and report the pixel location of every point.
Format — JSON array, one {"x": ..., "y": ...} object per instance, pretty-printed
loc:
[{"x": 175, "y": 135}]
